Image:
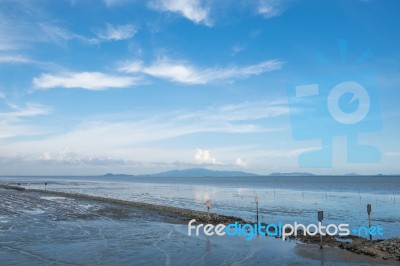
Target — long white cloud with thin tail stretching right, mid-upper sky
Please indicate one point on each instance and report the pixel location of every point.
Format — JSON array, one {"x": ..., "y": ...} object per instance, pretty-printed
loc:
[{"x": 182, "y": 72}]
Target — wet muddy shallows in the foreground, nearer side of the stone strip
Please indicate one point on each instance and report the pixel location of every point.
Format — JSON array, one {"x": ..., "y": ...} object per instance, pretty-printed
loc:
[{"x": 36, "y": 229}]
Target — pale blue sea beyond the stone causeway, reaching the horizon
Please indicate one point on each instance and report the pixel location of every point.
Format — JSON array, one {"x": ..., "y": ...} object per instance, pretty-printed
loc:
[{"x": 282, "y": 199}]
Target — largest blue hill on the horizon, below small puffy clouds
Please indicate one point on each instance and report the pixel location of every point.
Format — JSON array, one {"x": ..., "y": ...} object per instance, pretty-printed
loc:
[{"x": 202, "y": 172}]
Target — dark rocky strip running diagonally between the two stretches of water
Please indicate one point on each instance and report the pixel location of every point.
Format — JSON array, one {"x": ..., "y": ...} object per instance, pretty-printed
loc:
[{"x": 387, "y": 249}]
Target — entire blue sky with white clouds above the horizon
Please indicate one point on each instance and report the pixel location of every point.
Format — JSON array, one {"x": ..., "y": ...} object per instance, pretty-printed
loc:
[{"x": 137, "y": 87}]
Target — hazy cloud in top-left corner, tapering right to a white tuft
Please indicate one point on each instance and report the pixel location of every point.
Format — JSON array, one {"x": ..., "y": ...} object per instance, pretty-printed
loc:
[{"x": 24, "y": 25}]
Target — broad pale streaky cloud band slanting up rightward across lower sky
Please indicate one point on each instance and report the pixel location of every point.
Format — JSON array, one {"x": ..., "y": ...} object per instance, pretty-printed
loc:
[{"x": 110, "y": 136}]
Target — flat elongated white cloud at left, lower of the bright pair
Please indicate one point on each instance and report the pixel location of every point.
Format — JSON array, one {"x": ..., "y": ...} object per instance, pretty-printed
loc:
[{"x": 85, "y": 80}]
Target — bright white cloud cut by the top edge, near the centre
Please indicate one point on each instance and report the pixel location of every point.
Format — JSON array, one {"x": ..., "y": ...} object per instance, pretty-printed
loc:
[{"x": 190, "y": 9}]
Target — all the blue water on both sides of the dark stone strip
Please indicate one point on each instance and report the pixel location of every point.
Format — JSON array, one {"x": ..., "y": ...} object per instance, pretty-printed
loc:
[{"x": 44, "y": 229}]
